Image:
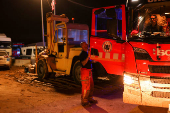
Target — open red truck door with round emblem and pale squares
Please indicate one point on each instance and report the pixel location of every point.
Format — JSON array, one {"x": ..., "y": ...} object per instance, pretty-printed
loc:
[{"x": 108, "y": 38}]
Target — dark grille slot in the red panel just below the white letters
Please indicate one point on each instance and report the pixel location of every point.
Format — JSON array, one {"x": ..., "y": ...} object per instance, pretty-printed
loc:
[{"x": 159, "y": 69}]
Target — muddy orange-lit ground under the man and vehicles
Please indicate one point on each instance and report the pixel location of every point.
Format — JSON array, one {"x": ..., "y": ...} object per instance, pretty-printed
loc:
[{"x": 22, "y": 92}]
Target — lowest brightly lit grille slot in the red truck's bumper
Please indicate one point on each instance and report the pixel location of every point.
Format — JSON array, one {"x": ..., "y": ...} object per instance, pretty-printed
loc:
[{"x": 160, "y": 94}]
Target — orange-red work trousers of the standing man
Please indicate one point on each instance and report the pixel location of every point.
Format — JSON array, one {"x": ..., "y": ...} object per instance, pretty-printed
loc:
[{"x": 87, "y": 84}]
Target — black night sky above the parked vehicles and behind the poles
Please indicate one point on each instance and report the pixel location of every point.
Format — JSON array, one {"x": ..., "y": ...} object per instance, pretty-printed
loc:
[{"x": 21, "y": 19}]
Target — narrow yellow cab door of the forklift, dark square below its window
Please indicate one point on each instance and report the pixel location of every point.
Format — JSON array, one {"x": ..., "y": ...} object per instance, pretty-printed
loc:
[{"x": 61, "y": 46}]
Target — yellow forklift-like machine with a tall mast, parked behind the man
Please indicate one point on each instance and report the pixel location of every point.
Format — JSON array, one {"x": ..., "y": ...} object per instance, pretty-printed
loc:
[{"x": 63, "y": 48}]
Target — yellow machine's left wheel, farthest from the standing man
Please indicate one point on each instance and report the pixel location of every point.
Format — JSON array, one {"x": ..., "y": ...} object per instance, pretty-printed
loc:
[{"x": 42, "y": 70}]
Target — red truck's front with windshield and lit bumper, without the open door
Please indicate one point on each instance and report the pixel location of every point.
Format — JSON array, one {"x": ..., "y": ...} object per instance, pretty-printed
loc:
[{"x": 149, "y": 43}]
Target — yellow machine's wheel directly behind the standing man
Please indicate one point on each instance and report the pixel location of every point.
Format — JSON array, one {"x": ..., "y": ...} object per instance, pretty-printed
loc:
[{"x": 76, "y": 72}]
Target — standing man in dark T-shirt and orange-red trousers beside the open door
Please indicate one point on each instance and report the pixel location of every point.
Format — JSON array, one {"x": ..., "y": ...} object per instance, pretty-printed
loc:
[{"x": 86, "y": 76}]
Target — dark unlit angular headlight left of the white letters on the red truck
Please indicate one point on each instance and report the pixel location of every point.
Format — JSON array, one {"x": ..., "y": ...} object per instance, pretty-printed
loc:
[{"x": 141, "y": 54}]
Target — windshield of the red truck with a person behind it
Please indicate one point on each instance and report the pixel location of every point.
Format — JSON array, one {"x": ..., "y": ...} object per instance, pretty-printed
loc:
[{"x": 150, "y": 21}]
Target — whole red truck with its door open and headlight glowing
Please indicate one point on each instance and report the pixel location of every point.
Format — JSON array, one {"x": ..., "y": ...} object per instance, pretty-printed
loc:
[{"x": 133, "y": 40}]
